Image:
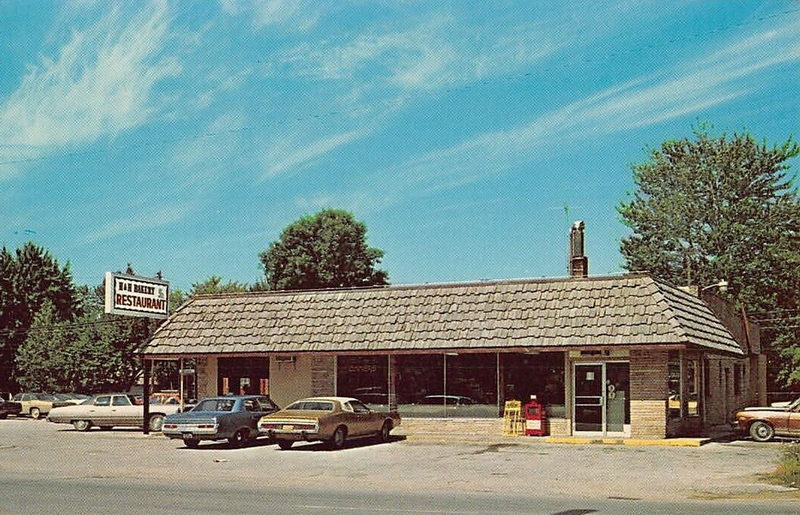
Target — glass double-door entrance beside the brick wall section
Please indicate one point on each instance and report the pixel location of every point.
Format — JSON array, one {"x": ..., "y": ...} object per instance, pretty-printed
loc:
[{"x": 601, "y": 399}]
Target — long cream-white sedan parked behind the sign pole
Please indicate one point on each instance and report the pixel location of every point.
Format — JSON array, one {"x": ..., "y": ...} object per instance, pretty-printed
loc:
[{"x": 111, "y": 409}]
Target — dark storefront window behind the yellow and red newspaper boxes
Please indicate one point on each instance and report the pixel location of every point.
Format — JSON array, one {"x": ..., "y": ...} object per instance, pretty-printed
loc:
[{"x": 541, "y": 374}]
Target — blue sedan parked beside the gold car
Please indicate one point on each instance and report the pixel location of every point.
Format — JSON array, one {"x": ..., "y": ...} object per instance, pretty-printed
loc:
[{"x": 232, "y": 418}]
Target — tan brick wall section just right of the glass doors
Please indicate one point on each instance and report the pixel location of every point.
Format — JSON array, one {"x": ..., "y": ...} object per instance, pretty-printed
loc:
[{"x": 648, "y": 376}]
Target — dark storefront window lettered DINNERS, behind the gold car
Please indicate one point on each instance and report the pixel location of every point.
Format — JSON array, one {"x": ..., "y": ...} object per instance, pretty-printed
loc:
[{"x": 365, "y": 378}]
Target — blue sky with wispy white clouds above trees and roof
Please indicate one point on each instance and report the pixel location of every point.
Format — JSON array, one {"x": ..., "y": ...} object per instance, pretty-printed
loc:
[{"x": 184, "y": 136}]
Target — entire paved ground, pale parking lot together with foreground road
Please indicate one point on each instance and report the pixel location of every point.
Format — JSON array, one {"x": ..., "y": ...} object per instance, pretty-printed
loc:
[{"x": 44, "y": 466}]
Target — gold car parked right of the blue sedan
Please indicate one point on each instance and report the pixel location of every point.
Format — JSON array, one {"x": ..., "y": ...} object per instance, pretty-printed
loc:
[{"x": 329, "y": 419}]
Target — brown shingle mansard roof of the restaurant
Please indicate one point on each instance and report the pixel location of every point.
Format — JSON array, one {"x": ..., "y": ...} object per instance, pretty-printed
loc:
[{"x": 621, "y": 310}]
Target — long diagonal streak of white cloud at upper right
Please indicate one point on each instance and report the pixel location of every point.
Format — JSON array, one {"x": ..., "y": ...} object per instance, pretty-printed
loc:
[{"x": 711, "y": 80}]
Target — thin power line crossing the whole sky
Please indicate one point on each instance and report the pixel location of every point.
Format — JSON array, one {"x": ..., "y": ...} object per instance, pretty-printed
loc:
[{"x": 403, "y": 99}]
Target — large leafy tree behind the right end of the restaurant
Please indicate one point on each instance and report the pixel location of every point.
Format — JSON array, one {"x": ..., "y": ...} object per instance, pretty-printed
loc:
[{"x": 712, "y": 208}]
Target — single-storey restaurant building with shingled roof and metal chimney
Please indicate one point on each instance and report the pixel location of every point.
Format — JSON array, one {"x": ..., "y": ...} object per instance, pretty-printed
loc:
[{"x": 626, "y": 356}]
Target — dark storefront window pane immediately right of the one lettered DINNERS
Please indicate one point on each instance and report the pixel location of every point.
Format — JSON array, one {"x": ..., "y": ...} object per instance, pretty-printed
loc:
[{"x": 420, "y": 385}]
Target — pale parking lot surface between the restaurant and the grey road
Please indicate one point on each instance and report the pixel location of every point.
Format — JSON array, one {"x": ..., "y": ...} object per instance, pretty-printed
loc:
[{"x": 36, "y": 452}]
